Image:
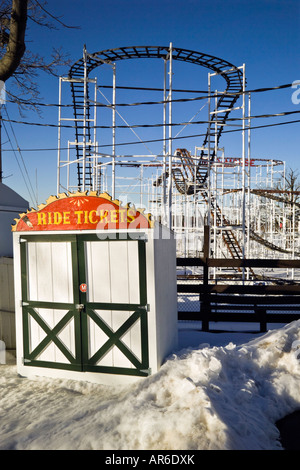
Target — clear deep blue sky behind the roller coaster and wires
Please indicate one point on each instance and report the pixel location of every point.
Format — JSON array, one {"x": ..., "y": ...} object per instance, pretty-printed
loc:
[{"x": 262, "y": 34}]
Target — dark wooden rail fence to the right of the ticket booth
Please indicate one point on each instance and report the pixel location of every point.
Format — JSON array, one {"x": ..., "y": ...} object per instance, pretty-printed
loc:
[{"x": 231, "y": 301}]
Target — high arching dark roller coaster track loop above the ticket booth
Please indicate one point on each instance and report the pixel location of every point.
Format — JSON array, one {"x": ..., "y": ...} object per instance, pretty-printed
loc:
[{"x": 231, "y": 74}]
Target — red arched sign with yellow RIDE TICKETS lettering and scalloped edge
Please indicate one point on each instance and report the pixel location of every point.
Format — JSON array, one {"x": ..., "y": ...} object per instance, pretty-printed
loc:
[{"x": 80, "y": 211}]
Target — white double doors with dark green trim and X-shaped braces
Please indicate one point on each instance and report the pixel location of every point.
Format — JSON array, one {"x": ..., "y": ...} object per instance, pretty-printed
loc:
[{"x": 84, "y": 303}]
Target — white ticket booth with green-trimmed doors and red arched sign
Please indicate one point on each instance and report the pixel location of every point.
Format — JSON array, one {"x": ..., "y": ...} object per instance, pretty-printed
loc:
[{"x": 95, "y": 290}]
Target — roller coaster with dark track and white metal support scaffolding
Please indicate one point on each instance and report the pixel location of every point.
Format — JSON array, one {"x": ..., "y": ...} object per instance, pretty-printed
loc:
[{"x": 242, "y": 199}]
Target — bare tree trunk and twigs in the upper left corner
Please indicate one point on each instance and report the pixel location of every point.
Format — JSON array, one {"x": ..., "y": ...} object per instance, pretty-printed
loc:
[{"x": 23, "y": 66}]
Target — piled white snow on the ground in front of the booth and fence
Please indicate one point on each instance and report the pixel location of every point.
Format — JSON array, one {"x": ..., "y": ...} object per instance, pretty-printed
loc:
[{"x": 219, "y": 391}]
